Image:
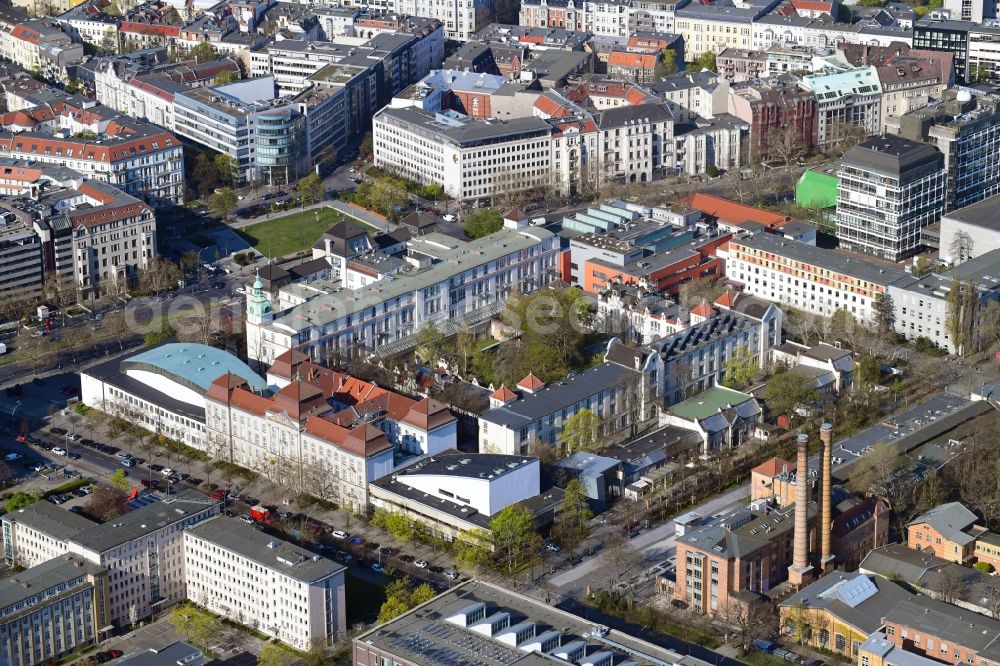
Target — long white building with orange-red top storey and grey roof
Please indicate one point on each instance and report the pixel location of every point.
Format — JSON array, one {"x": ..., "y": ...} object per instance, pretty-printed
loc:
[{"x": 807, "y": 278}]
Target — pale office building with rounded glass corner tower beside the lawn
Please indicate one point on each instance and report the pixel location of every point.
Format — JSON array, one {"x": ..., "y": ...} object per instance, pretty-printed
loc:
[{"x": 265, "y": 135}]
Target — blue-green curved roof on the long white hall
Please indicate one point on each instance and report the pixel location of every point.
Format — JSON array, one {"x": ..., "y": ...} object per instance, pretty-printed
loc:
[{"x": 193, "y": 365}]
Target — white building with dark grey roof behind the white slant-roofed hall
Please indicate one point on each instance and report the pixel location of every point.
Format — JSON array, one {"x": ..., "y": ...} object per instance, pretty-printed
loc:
[{"x": 537, "y": 413}]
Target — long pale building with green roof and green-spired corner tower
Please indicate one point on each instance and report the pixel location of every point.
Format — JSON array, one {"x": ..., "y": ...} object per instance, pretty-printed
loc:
[{"x": 453, "y": 279}]
